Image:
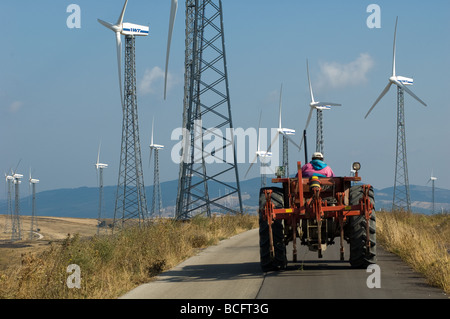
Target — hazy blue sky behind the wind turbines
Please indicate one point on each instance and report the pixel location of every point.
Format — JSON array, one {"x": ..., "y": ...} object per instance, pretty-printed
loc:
[{"x": 59, "y": 91}]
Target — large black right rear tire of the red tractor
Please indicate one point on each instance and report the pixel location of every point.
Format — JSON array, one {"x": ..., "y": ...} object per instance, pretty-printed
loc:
[{"x": 357, "y": 233}]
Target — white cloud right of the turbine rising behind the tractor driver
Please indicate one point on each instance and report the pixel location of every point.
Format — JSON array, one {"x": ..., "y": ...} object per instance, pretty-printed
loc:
[{"x": 339, "y": 75}]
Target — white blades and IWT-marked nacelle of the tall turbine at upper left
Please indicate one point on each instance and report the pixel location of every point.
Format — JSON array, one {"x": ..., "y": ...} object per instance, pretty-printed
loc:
[{"x": 124, "y": 28}]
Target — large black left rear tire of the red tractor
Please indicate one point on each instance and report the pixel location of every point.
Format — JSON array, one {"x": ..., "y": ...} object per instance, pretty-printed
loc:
[{"x": 278, "y": 260}]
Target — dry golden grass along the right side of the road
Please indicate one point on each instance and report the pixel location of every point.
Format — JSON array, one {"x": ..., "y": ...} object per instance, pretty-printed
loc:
[{"x": 421, "y": 241}]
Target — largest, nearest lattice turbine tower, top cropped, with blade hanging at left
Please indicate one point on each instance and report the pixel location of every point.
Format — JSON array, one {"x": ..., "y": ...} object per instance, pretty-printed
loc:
[{"x": 206, "y": 105}]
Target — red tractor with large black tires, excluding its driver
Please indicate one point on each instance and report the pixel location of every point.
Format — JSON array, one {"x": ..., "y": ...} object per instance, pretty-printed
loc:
[{"x": 317, "y": 210}]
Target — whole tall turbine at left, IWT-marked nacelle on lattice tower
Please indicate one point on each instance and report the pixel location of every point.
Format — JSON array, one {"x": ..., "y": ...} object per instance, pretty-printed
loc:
[{"x": 131, "y": 202}]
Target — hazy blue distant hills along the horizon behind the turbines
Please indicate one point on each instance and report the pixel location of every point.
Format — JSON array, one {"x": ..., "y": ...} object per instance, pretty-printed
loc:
[{"x": 83, "y": 202}]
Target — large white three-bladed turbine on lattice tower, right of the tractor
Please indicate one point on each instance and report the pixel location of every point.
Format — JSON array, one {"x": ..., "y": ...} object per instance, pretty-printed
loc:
[{"x": 401, "y": 198}]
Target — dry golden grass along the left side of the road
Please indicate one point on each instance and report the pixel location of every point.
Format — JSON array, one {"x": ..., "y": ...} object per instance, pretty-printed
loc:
[{"x": 113, "y": 265}]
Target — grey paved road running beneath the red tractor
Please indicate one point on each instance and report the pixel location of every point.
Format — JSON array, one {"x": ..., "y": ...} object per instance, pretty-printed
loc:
[{"x": 231, "y": 270}]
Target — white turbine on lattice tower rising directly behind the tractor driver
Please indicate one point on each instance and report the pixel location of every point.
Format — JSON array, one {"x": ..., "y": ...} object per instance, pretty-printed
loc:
[{"x": 319, "y": 107}]
